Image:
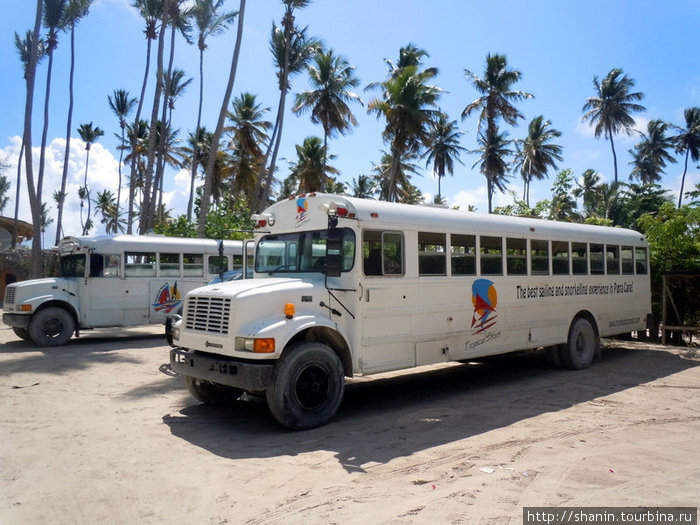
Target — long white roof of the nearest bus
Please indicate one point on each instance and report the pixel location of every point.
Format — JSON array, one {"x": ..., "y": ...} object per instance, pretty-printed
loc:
[{"x": 382, "y": 214}]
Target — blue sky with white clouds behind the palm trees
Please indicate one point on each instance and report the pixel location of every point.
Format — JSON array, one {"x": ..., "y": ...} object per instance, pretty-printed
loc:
[{"x": 559, "y": 46}]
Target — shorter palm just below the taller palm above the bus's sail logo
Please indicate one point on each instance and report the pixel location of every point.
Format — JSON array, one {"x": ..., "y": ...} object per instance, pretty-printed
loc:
[{"x": 493, "y": 150}]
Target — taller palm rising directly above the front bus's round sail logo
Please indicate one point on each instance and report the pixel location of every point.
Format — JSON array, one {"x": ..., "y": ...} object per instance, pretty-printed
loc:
[{"x": 497, "y": 96}]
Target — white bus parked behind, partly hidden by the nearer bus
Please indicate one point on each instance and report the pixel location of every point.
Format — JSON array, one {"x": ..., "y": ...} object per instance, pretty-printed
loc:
[{"x": 114, "y": 280}]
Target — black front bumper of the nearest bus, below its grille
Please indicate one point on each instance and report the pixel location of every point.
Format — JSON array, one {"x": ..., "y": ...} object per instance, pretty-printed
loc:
[{"x": 223, "y": 370}]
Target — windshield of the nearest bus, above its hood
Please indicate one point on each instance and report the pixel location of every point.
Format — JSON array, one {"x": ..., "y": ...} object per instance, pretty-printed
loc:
[{"x": 300, "y": 252}]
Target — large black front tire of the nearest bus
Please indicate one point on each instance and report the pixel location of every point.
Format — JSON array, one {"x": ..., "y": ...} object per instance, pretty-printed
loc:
[{"x": 308, "y": 387}]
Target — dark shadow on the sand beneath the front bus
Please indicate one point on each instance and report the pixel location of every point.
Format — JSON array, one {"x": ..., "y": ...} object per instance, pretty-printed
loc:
[{"x": 383, "y": 418}]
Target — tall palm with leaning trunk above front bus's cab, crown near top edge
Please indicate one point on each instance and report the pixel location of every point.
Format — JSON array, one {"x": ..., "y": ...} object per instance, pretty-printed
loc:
[{"x": 291, "y": 51}]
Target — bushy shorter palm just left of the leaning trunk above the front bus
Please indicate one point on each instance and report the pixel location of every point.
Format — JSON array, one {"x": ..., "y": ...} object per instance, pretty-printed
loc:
[{"x": 248, "y": 132}]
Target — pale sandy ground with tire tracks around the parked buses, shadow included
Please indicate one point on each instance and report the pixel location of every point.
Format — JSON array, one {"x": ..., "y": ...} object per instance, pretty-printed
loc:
[{"x": 99, "y": 432}]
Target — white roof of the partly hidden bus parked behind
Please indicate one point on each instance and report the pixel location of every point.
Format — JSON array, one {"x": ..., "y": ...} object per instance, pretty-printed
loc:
[{"x": 145, "y": 243}]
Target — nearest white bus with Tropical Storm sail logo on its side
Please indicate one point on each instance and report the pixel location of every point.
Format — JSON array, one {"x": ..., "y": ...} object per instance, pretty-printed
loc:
[{"x": 346, "y": 287}]
